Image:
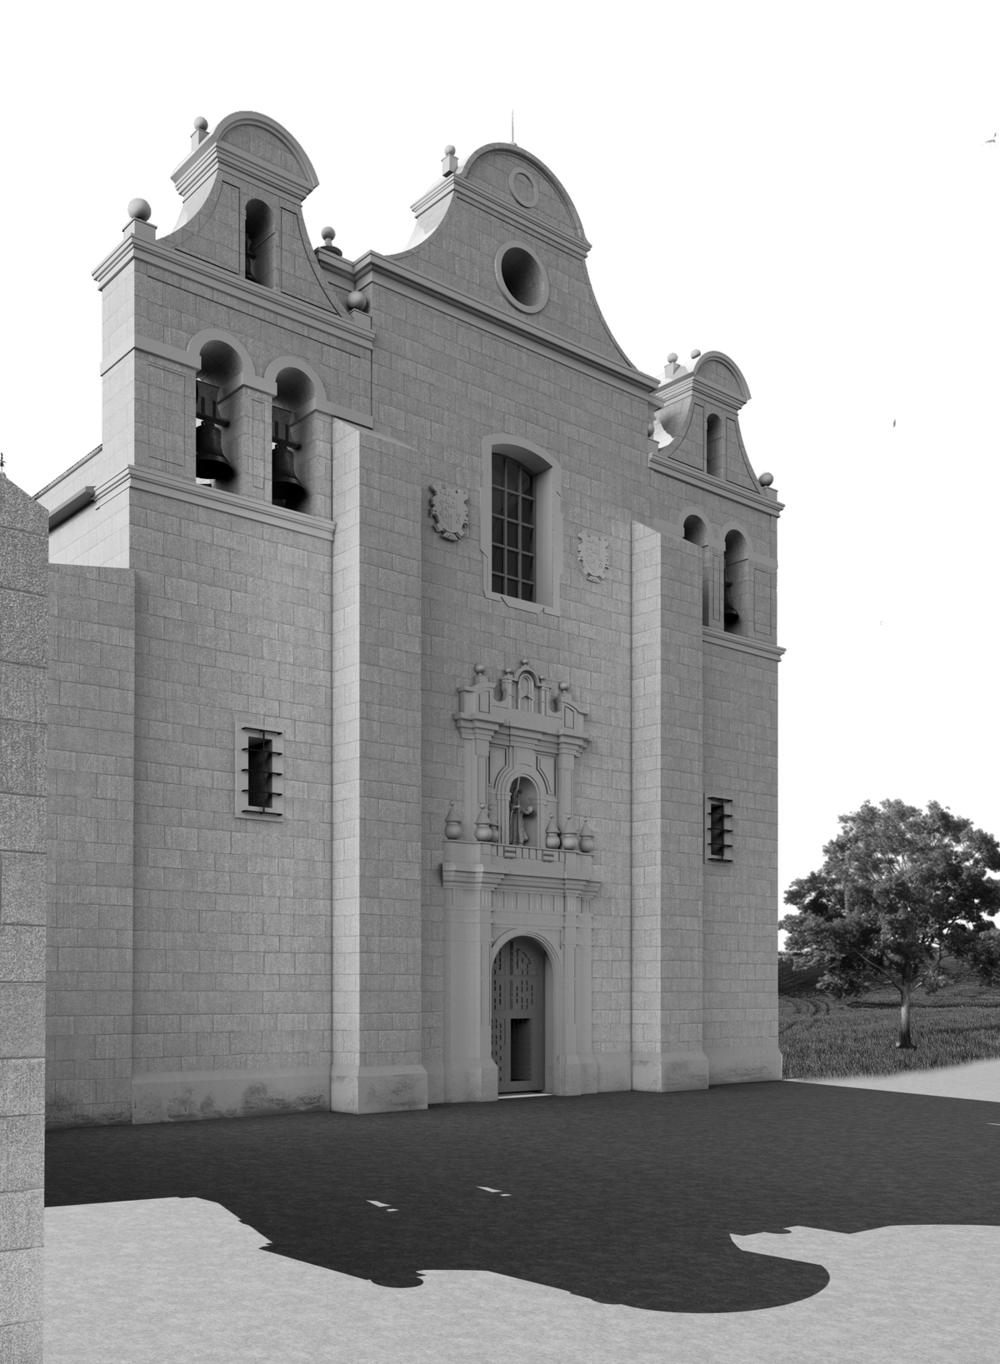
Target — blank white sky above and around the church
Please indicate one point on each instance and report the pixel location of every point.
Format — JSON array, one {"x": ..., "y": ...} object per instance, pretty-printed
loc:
[{"x": 808, "y": 189}]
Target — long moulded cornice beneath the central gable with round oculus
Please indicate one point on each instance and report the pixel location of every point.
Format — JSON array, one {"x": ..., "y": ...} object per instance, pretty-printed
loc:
[{"x": 388, "y": 272}]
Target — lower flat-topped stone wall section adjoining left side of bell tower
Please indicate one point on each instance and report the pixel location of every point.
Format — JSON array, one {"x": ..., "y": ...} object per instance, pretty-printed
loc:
[{"x": 92, "y": 766}]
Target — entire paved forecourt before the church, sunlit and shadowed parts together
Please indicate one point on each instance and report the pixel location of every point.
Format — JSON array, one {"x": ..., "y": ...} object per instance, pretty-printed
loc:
[{"x": 731, "y": 1226}]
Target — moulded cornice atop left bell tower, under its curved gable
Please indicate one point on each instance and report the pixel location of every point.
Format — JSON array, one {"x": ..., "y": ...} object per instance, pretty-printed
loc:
[{"x": 203, "y": 273}]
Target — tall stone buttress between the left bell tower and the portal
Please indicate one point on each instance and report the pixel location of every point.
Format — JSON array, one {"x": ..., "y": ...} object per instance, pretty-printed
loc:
[{"x": 377, "y": 790}]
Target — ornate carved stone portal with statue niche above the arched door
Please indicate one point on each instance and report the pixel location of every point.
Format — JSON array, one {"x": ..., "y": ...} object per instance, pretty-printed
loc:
[{"x": 518, "y": 865}]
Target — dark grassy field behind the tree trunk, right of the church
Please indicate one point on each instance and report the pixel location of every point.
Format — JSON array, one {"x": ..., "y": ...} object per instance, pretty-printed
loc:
[{"x": 822, "y": 1037}]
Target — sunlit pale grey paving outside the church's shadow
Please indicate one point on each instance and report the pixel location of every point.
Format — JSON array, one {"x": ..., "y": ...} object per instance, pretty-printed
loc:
[{"x": 182, "y": 1279}]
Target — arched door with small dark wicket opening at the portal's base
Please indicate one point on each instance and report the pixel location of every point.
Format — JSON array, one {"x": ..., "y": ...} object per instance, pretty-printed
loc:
[{"x": 519, "y": 1017}]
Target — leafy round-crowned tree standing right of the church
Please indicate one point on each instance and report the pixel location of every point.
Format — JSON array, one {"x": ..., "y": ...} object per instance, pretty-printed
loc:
[{"x": 900, "y": 889}]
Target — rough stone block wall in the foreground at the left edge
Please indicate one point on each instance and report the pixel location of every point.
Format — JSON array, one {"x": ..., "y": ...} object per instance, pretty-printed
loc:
[{"x": 24, "y": 632}]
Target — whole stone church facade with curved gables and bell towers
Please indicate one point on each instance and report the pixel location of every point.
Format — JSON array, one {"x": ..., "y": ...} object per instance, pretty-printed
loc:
[{"x": 413, "y": 673}]
